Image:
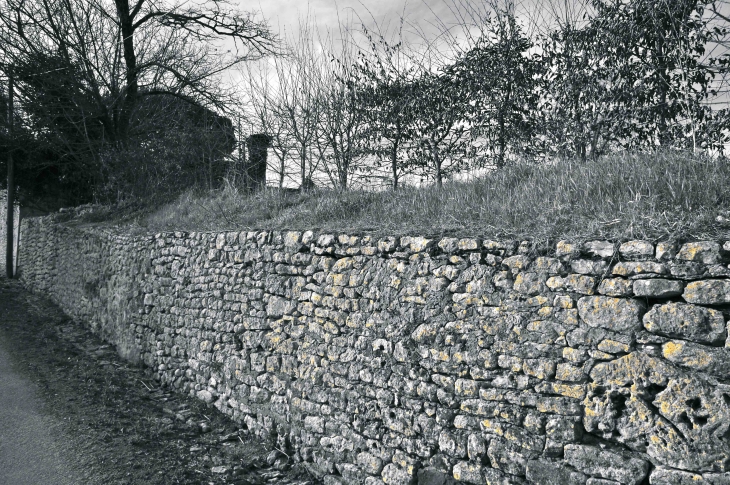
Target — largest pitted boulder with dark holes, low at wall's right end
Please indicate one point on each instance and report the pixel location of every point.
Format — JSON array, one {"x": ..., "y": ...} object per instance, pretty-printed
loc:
[{"x": 649, "y": 404}]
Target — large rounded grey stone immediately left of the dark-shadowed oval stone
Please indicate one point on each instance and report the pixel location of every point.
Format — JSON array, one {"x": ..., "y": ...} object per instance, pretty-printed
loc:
[{"x": 610, "y": 313}]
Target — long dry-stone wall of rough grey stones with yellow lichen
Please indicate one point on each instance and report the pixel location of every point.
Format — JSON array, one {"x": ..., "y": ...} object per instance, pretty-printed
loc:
[{"x": 412, "y": 360}]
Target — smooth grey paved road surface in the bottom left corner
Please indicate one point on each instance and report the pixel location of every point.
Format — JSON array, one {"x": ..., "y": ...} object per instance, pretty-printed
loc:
[{"x": 32, "y": 445}]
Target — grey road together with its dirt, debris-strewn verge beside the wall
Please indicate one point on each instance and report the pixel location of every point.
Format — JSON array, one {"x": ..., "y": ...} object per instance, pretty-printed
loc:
[{"x": 70, "y": 407}]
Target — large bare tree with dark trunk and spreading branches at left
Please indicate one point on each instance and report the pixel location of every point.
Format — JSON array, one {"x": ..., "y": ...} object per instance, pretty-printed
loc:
[{"x": 106, "y": 58}]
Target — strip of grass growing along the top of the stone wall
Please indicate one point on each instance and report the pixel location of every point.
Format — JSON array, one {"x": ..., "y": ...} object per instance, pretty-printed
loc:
[{"x": 660, "y": 196}]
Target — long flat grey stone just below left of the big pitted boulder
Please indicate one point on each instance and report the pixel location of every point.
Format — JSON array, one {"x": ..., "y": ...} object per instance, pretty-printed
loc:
[{"x": 613, "y": 465}]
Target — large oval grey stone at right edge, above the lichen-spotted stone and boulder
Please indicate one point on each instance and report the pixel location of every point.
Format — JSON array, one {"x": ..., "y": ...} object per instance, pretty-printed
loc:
[{"x": 686, "y": 321}]
